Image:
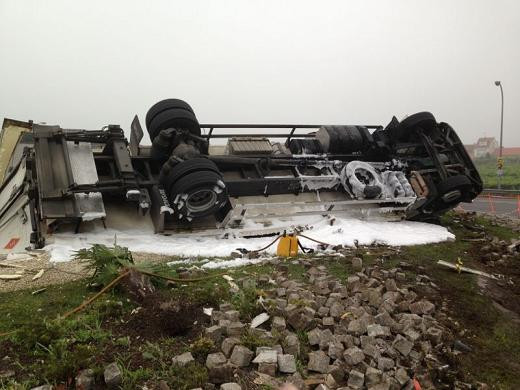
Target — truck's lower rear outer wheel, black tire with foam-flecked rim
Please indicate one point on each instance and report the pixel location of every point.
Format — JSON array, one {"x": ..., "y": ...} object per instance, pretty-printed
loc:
[{"x": 198, "y": 194}]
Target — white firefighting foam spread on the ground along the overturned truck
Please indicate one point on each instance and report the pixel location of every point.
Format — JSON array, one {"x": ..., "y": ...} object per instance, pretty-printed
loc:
[{"x": 345, "y": 231}]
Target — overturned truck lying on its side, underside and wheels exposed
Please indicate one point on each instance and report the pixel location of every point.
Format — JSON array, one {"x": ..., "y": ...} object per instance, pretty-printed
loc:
[{"x": 206, "y": 176}]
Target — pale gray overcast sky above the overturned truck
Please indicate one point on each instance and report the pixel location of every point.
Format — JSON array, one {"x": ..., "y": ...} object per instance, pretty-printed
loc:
[{"x": 86, "y": 64}]
